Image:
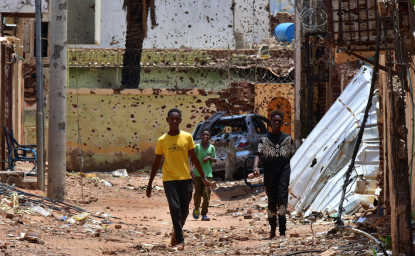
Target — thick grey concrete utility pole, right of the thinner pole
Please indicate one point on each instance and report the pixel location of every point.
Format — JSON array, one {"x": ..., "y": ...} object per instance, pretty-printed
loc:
[{"x": 57, "y": 110}]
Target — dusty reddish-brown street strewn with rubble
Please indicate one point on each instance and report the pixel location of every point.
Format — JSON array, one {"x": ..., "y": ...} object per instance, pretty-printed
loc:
[{"x": 131, "y": 224}]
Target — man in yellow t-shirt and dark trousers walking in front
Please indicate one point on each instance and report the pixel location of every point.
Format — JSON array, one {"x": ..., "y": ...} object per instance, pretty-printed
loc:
[{"x": 176, "y": 146}]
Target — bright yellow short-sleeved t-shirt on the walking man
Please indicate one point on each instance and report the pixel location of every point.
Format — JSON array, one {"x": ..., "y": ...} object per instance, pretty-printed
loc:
[{"x": 176, "y": 159}]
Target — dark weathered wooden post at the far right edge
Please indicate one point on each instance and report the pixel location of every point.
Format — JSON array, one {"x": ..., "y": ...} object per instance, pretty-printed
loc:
[{"x": 398, "y": 168}]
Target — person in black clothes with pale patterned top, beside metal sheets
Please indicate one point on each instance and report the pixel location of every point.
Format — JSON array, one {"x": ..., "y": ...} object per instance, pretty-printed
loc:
[{"x": 277, "y": 148}]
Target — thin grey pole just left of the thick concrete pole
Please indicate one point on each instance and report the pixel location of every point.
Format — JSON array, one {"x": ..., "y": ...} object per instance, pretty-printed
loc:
[{"x": 40, "y": 118}]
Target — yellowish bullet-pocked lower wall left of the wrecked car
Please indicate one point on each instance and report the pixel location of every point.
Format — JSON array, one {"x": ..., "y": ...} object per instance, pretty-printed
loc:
[{"x": 121, "y": 130}]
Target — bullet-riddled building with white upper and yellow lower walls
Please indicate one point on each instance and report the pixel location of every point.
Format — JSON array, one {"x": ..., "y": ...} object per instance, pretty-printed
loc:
[{"x": 235, "y": 65}]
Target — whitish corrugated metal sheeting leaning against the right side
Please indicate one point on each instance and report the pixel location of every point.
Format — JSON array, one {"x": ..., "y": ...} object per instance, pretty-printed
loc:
[{"x": 319, "y": 165}]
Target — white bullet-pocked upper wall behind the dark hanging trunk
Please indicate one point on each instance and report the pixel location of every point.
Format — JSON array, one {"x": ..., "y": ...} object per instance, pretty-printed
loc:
[{"x": 192, "y": 24}]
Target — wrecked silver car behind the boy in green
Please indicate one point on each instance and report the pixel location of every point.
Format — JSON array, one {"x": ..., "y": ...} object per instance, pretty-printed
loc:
[{"x": 246, "y": 130}]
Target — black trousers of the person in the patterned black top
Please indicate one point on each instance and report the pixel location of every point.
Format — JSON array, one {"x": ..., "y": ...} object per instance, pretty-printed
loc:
[{"x": 274, "y": 203}]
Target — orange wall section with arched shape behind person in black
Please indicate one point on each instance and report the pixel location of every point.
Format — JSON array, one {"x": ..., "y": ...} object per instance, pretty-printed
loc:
[{"x": 269, "y": 97}]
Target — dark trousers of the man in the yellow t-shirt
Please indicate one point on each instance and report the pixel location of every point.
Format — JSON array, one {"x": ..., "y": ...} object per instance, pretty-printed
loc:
[{"x": 179, "y": 195}]
